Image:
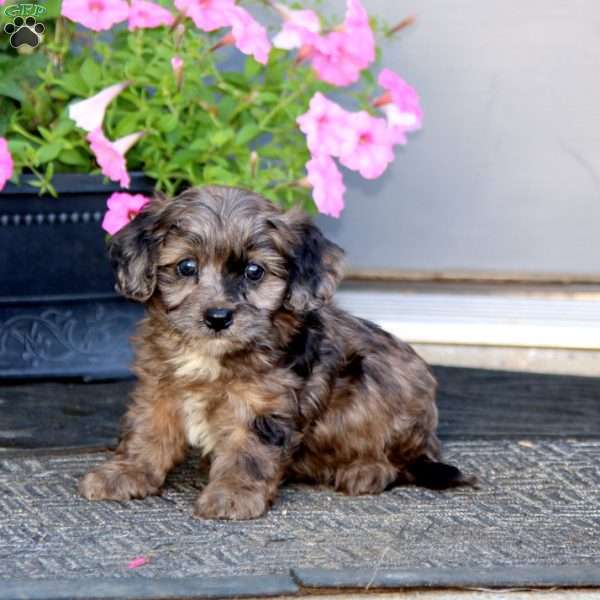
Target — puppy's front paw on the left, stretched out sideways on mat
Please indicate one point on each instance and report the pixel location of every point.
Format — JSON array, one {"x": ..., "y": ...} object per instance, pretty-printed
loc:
[{"x": 114, "y": 481}]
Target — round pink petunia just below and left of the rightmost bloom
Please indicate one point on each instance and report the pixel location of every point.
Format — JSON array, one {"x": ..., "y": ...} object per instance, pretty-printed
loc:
[{"x": 374, "y": 147}]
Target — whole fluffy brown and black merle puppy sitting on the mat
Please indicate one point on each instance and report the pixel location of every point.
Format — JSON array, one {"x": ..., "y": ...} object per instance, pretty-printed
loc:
[{"x": 243, "y": 354}]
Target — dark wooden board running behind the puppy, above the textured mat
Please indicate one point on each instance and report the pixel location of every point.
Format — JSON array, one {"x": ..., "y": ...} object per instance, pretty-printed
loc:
[{"x": 473, "y": 404}]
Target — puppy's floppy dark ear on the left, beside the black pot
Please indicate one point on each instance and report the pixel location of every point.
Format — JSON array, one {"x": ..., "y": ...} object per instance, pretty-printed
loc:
[{"x": 133, "y": 249}]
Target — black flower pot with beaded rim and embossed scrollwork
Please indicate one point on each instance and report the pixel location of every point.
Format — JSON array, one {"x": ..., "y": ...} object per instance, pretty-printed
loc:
[{"x": 59, "y": 313}]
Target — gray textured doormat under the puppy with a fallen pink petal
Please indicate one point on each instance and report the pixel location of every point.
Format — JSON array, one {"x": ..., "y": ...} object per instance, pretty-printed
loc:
[{"x": 535, "y": 521}]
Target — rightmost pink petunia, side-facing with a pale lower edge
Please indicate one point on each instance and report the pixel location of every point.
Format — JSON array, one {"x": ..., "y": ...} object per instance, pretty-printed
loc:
[{"x": 400, "y": 103}]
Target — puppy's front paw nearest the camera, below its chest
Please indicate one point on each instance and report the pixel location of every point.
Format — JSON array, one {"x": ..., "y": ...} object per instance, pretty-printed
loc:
[{"x": 220, "y": 501}]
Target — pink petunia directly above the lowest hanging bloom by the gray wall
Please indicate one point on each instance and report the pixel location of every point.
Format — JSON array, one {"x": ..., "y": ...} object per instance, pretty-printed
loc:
[{"x": 327, "y": 127}]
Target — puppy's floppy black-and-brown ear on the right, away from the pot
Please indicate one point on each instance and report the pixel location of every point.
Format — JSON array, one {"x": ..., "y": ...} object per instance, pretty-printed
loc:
[{"x": 315, "y": 264}]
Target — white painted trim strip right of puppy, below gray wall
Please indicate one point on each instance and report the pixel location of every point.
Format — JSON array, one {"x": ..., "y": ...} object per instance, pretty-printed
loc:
[{"x": 483, "y": 320}]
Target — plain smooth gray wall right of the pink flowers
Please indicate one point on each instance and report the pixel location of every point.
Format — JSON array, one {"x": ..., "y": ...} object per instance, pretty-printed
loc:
[{"x": 505, "y": 175}]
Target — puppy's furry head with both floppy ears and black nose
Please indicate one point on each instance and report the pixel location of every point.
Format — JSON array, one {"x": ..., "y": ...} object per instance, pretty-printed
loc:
[{"x": 221, "y": 262}]
